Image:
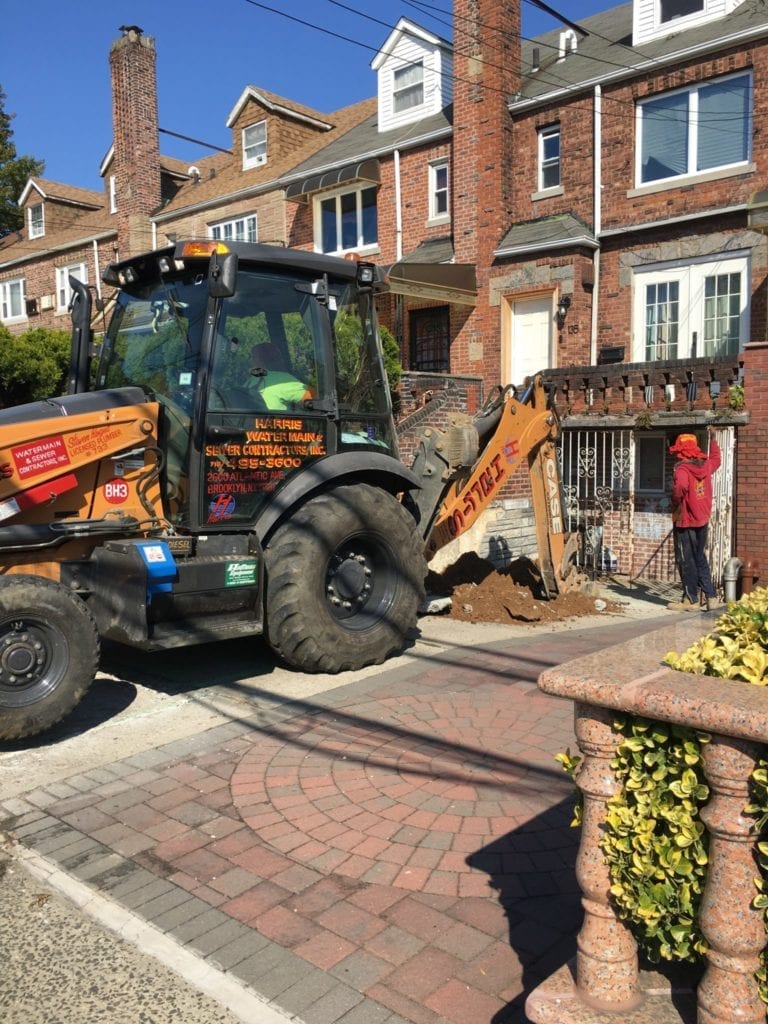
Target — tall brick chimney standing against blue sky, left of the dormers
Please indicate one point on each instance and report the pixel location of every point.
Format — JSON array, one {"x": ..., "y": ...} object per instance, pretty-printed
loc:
[{"x": 137, "y": 138}]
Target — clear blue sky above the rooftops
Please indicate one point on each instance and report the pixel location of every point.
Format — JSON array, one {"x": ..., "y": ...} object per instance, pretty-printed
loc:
[{"x": 56, "y": 75}]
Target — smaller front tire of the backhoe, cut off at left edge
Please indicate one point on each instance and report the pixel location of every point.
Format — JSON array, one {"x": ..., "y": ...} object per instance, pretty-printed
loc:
[{"x": 49, "y": 655}]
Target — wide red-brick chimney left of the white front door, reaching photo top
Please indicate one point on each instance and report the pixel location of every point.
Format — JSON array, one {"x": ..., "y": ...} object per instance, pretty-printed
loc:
[{"x": 487, "y": 67}]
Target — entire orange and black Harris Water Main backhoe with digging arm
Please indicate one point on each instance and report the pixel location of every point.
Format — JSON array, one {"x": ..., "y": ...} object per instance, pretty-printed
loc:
[{"x": 226, "y": 464}]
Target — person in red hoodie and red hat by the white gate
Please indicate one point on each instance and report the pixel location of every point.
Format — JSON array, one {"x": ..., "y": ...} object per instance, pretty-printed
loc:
[{"x": 692, "y": 508}]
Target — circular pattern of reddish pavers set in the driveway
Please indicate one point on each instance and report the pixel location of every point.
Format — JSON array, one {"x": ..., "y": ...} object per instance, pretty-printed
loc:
[{"x": 412, "y": 792}]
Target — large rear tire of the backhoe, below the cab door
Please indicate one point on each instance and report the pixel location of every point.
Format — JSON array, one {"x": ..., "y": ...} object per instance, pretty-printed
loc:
[{"x": 346, "y": 579}]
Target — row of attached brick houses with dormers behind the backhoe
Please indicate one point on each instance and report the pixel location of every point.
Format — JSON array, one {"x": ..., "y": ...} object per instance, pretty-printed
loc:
[{"x": 588, "y": 204}]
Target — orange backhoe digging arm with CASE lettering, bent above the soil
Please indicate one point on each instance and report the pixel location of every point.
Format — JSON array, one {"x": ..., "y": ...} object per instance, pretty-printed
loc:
[{"x": 464, "y": 470}]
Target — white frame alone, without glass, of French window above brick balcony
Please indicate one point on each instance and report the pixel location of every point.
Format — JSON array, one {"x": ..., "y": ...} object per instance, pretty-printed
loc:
[{"x": 691, "y": 277}]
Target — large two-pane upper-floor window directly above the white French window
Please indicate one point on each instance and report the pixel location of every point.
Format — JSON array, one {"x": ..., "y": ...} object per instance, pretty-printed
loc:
[{"x": 691, "y": 132}]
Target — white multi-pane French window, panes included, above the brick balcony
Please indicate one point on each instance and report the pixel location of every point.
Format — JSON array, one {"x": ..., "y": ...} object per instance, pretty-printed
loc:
[{"x": 682, "y": 311}]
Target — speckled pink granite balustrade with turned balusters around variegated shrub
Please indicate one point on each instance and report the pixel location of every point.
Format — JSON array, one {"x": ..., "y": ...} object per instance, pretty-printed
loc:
[{"x": 606, "y": 977}]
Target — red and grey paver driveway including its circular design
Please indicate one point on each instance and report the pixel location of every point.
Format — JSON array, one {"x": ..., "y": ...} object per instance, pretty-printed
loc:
[{"x": 396, "y": 850}]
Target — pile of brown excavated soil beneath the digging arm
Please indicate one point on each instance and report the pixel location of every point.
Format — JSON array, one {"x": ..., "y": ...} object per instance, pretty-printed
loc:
[{"x": 481, "y": 593}]
